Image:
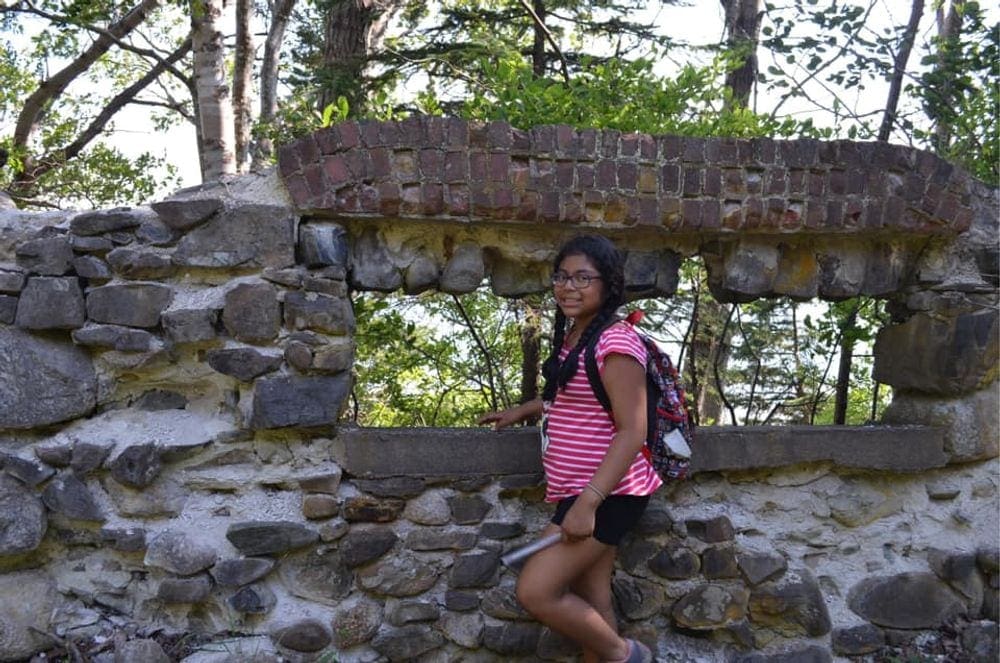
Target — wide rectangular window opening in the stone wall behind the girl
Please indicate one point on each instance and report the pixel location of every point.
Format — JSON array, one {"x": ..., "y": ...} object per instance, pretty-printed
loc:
[{"x": 441, "y": 360}]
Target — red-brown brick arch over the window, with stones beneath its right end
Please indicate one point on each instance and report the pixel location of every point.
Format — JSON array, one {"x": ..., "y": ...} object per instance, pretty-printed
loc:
[{"x": 802, "y": 218}]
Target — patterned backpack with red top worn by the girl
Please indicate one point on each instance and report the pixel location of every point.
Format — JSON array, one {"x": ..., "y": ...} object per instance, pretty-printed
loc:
[{"x": 669, "y": 426}]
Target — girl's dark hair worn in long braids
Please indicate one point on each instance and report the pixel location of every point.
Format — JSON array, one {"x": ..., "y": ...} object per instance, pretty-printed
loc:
[{"x": 611, "y": 266}]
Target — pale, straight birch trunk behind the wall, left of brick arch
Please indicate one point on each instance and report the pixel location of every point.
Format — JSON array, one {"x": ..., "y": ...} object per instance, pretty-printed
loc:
[{"x": 215, "y": 109}]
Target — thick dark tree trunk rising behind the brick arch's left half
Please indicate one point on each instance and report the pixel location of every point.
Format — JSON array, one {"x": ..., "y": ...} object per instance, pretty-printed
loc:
[{"x": 353, "y": 30}]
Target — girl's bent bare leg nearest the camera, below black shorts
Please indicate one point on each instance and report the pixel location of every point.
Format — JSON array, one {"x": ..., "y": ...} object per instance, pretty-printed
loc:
[{"x": 543, "y": 590}]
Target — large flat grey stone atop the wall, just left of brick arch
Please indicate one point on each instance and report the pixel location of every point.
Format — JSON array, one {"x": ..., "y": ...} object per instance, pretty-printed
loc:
[{"x": 249, "y": 236}]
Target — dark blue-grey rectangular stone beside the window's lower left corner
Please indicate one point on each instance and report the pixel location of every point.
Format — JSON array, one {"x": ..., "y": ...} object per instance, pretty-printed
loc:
[{"x": 303, "y": 401}]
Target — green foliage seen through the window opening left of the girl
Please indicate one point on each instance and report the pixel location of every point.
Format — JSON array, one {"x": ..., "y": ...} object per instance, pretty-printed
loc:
[{"x": 421, "y": 363}]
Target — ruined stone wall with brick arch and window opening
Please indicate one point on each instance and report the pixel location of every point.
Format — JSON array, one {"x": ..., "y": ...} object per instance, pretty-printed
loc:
[{"x": 173, "y": 375}]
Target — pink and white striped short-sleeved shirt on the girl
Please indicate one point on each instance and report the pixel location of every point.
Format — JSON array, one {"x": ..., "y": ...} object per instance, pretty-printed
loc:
[{"x": 578, "y": 431}]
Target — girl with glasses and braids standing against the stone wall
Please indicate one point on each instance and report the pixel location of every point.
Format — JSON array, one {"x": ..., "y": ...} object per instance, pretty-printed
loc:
[{"x": 594, "y": 470}]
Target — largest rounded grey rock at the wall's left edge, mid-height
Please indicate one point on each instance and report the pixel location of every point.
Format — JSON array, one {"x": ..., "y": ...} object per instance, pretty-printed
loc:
[{"x": 46, "y": 381}]
